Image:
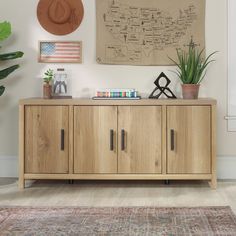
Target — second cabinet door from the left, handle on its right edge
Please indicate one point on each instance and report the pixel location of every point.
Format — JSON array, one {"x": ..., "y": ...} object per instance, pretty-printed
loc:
[{"x": 95, "y": 139}]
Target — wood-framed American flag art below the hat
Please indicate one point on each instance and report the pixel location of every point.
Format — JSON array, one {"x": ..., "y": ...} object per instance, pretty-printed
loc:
[{"x": 60, "y": 52}]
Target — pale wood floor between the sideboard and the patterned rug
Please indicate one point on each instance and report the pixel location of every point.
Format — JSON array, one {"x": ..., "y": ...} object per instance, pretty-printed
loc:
[{"x": 117, "y": 193}]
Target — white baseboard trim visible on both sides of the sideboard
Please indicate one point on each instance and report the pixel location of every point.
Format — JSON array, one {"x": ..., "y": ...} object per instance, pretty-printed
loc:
[{"x": 226, "y": 167}]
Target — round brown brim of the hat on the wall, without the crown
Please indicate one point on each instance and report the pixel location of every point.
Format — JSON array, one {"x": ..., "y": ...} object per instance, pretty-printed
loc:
[{"x": 67, "y": 27}]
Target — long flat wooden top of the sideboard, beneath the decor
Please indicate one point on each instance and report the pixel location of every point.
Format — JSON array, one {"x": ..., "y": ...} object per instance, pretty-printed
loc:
[{"x": 141, "y": 102}]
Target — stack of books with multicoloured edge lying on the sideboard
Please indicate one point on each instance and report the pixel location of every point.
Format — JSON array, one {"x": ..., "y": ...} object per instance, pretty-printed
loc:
[{"x": 116, "y": 94}]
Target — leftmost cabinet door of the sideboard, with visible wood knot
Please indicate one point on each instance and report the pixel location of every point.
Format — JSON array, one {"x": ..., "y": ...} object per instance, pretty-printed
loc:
[{"x": 46, "y": 139}]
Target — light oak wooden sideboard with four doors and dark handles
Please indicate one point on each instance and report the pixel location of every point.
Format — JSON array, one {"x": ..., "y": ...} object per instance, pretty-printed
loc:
[{"x": 117, "y": 139}]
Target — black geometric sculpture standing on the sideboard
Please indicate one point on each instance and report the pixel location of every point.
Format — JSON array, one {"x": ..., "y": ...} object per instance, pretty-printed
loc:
[{"x": 159, "y": 90}]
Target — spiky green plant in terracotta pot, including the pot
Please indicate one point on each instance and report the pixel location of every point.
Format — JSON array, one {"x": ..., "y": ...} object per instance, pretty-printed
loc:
[{"x": 191, "y": 69}]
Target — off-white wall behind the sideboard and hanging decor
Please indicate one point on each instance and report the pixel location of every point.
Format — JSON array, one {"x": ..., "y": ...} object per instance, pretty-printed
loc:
[{"x": 88, "y": 76}]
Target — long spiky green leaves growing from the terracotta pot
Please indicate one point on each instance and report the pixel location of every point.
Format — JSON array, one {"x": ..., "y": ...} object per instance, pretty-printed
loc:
[{"x": 191, "y": 64}]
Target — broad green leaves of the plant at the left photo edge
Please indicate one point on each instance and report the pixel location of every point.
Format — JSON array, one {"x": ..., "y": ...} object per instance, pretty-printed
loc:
[{"x": 5, "y": 32}]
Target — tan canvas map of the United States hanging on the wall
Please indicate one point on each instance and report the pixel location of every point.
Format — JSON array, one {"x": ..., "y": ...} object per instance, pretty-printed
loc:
[{"x": 138, "y": 32}]
